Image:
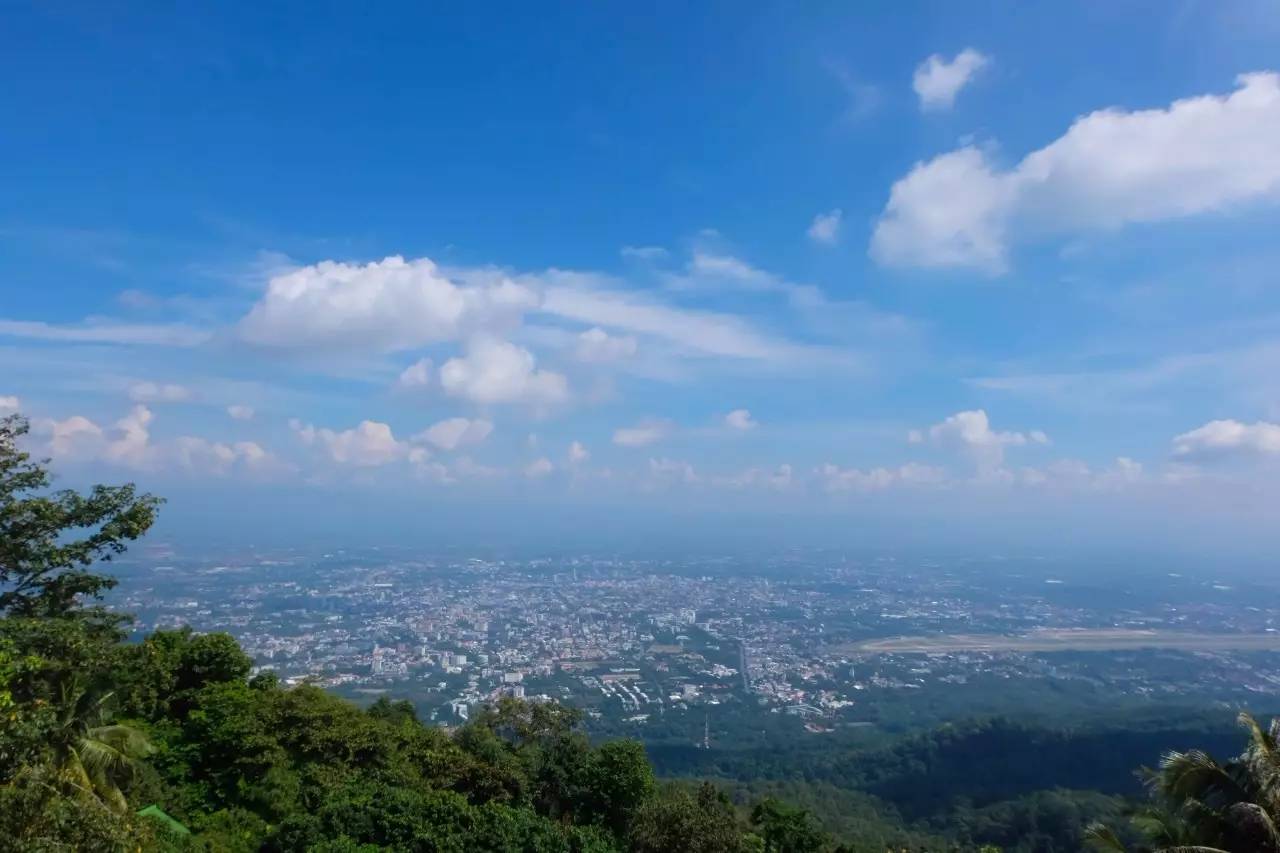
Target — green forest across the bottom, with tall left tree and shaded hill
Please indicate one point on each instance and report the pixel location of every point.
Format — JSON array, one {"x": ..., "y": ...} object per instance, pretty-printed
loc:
[{"x": 170, "y": 743}]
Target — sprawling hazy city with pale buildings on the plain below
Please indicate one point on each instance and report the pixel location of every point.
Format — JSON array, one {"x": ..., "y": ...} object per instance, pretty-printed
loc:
[{"x": 824, "y": 640}]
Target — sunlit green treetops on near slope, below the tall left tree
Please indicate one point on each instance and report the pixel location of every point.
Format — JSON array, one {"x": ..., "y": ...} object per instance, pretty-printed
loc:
[{"x": 98, "y": 732}]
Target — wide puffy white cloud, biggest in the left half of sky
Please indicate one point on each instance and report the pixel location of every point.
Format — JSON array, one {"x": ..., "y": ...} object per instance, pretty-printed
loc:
[{"x": 386, "y": 307}]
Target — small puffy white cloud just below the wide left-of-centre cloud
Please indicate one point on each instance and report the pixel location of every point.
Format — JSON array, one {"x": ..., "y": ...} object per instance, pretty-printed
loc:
[{"x": 499, "y": 372}]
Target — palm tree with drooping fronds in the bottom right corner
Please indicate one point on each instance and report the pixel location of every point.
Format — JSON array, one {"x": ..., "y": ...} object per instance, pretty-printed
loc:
[{"x": 1203, "y": 806}]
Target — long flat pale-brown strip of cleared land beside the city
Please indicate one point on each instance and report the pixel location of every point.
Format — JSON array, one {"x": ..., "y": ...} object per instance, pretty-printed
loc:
[{"x": 1063, "y": 641}]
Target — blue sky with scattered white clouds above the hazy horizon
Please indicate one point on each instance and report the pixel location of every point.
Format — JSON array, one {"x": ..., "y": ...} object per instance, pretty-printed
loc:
[{"x": 982, "y": 268}]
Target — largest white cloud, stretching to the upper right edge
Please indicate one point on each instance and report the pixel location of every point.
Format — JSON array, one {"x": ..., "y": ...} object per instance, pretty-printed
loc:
[{"x": 1112, "y": 168}]
